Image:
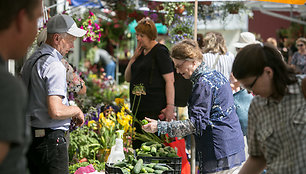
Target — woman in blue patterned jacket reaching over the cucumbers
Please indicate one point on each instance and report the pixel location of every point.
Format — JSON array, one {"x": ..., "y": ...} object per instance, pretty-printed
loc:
[{"x": 212, "y": 115}]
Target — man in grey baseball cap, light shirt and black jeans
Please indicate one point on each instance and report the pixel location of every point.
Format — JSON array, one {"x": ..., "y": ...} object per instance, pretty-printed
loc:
[{"x": 48, "y": 109}]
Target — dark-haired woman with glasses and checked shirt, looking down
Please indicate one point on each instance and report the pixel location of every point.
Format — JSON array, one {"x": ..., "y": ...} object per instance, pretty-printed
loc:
[{"x": 277, "y": 114}]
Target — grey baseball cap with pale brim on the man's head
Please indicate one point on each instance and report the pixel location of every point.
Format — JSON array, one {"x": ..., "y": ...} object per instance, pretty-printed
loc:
[{"x": 64, "y": 24}]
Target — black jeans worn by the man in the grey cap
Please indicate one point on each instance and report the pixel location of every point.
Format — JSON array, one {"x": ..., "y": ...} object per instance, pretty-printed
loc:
[{"x": 48, "y": 154}]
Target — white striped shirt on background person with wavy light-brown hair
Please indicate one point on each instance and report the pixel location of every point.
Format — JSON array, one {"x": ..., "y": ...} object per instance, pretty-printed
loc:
[{"x": 223, "y": 65}]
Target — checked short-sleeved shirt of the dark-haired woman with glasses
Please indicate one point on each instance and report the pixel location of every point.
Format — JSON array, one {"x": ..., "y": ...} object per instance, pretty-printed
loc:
[{"x": 277, "y": 131}]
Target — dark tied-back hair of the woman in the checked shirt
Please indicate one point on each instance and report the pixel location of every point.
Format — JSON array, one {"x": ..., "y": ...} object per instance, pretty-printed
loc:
[{"x": 252, "y": 60}]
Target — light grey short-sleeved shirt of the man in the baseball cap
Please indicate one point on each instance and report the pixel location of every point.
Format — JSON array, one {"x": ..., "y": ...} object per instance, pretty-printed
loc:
[{"x": 48, "y": 77}]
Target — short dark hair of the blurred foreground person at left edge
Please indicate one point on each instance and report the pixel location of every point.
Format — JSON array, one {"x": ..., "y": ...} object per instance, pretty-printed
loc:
[{"x": 10, "y": 8}]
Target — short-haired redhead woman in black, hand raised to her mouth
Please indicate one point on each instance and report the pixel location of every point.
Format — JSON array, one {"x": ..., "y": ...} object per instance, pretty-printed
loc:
[{"x": 151, "y": 66}]
